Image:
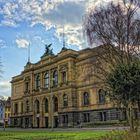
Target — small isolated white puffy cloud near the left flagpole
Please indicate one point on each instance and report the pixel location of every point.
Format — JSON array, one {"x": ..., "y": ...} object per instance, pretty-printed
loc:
[{"x": 22, "y": 43}]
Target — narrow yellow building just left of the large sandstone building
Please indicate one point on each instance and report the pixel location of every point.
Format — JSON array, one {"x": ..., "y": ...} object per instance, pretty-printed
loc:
[{"x": 7, "y": 111}]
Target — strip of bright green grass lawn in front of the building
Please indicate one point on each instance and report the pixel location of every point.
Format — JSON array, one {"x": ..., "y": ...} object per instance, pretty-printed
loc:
[{"x": 44, "y": 135}]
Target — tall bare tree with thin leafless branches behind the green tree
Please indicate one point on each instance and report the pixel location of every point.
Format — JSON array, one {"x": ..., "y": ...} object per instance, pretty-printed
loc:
[{"x": 116, "y": 27}]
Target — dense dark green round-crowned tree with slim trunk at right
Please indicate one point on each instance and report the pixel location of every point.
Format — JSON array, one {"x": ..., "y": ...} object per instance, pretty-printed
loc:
[{"x": 123, "y": 86}]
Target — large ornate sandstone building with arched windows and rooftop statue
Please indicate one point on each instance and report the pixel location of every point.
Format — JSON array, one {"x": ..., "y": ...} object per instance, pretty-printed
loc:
[{"x": 60, "y": 91}]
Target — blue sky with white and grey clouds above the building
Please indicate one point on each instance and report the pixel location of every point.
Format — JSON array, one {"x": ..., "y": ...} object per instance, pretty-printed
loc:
[{"x": 34, "y": 23}]
